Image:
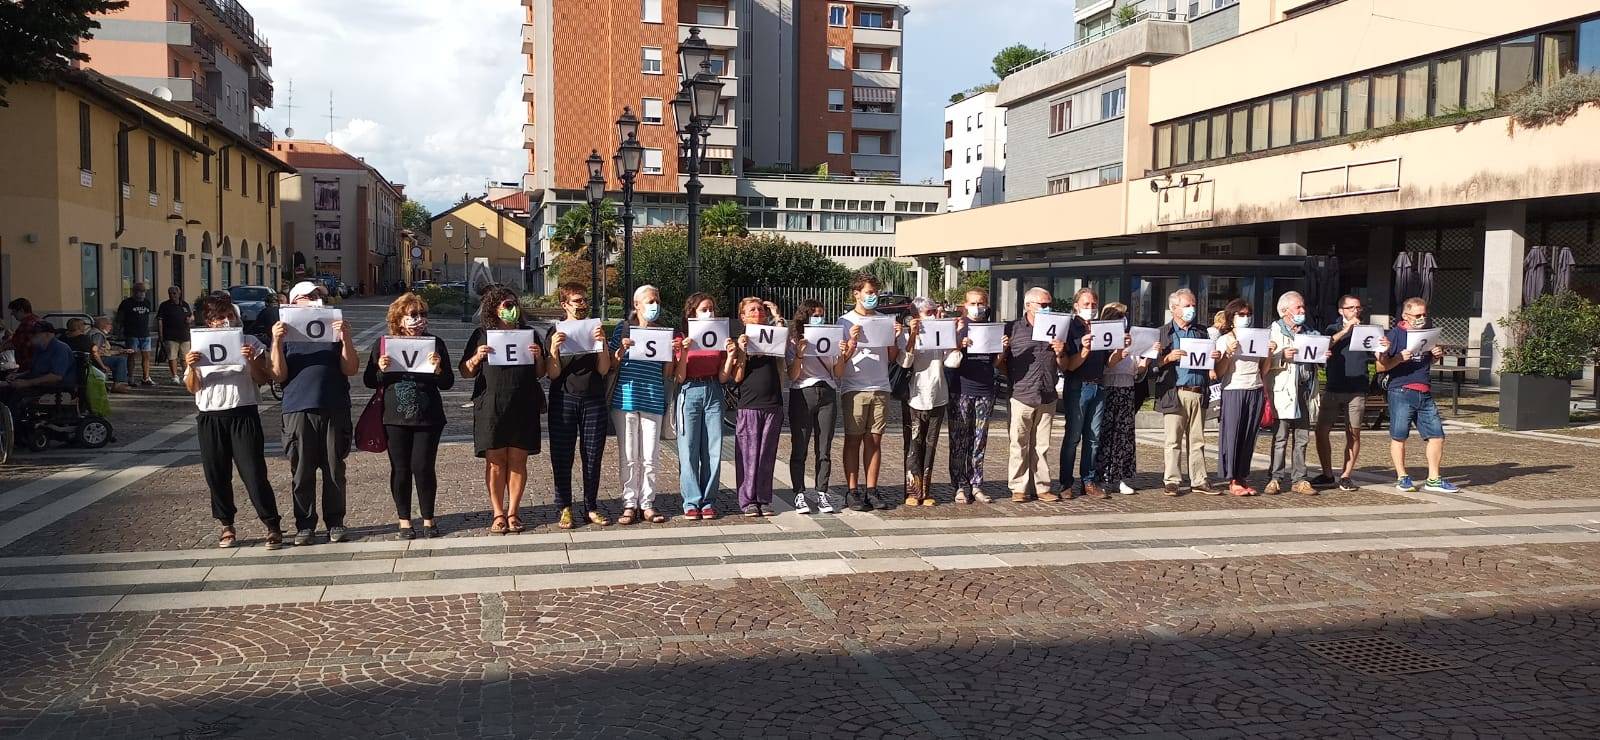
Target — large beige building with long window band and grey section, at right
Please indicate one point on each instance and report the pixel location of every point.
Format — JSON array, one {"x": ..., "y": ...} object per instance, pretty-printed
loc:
[{"x": 1359, "y": 131}]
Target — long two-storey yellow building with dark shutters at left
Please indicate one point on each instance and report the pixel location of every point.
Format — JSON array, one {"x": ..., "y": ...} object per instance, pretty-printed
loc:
[{"x": 103, "y": 187}]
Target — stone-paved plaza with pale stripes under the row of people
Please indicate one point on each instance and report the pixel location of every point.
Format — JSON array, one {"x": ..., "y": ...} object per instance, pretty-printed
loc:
[{"x": 1350, "y": 614}]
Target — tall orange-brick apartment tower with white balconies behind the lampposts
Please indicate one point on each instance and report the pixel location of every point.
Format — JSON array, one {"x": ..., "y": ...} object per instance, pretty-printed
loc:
[{"x": 809, "y": 87}]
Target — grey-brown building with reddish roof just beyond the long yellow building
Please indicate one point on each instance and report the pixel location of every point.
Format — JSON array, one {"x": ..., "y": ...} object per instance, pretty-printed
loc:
[{"x": 342, "y": 217}]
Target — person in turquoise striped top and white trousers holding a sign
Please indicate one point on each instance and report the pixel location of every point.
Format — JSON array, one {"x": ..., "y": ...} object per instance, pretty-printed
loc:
[{"x": 639, "y": 401}]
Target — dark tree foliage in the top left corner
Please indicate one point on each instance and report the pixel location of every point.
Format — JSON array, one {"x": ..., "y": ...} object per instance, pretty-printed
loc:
[{"x": 41, "y": 38}]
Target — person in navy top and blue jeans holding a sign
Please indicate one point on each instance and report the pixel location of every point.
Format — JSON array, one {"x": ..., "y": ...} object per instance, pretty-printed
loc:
[{"x": 1084, "y": 400}]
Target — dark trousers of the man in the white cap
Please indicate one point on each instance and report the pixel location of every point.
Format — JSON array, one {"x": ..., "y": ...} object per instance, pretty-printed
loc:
[{"x": 318, "y": 441}]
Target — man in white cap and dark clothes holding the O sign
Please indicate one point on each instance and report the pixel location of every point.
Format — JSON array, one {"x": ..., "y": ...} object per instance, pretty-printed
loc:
[{"x": 318, "y": 428}]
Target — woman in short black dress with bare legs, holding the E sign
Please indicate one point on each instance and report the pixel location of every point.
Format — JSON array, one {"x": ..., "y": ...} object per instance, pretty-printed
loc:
[{"x": 506, "y": 406}]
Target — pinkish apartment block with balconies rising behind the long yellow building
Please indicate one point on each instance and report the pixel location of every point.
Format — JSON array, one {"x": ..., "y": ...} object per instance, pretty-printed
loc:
[{"x": 202, "y": 54}]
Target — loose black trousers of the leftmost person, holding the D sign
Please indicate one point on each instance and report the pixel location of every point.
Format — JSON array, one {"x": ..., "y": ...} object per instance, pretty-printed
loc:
[{"x": 234, "y": 440}]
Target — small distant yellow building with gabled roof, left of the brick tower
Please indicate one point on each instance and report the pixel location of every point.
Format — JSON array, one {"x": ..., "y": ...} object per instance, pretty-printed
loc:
[{"x": 500, "y": 249}]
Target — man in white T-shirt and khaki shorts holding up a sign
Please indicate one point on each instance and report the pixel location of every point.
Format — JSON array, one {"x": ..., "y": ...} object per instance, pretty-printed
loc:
[{"x": 866, "y": 396}]
